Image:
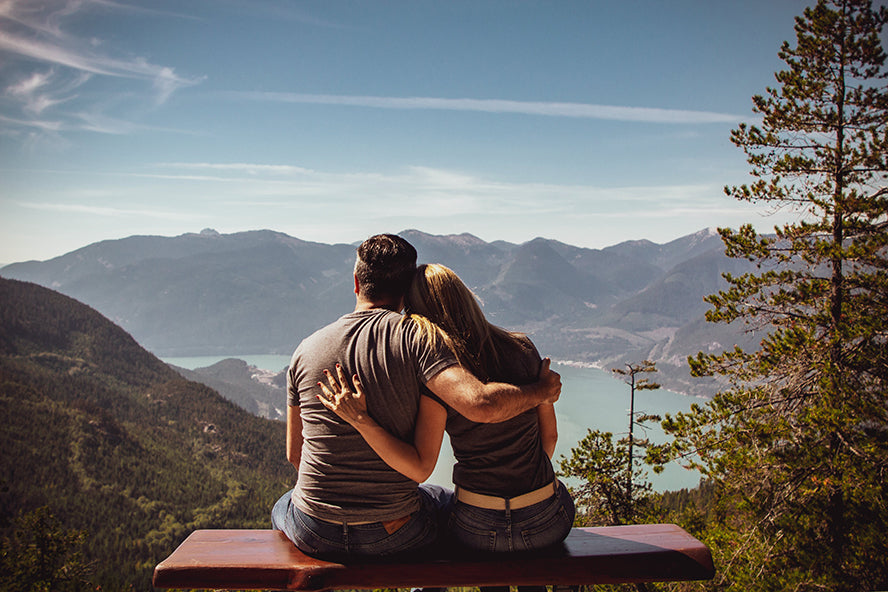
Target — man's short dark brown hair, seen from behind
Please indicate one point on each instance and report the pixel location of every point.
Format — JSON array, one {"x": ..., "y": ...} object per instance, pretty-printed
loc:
[{"x": 385, "y": 267}]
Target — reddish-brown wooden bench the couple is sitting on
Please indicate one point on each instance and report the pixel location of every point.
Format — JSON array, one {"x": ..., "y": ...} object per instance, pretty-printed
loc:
[{"x": 267, "y": 560}]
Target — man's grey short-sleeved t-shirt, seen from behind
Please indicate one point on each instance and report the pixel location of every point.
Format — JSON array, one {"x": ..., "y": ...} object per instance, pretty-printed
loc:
[{"x": 340, "y": 477}]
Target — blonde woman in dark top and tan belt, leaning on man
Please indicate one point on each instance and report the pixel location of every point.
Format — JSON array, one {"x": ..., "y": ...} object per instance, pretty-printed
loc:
[{"x": 507, "y": 497}]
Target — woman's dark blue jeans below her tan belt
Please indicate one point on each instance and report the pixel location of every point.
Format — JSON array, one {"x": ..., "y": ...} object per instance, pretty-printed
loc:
[{"x": 534, "y": 527}]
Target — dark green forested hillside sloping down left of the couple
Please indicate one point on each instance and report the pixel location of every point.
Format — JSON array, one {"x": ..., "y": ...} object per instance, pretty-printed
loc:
[{"x": 112, "y": 442}]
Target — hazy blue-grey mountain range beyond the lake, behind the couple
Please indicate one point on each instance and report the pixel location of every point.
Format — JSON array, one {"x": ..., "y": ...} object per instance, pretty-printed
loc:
[{"x": 263, "y": 291}]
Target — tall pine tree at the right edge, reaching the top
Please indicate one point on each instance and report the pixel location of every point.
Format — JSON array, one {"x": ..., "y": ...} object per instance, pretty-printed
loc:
[{"x": 798, "y": 440}]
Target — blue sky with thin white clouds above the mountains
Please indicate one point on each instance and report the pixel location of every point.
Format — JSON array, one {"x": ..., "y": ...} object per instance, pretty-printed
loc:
[{"x": 588, "y": 122}]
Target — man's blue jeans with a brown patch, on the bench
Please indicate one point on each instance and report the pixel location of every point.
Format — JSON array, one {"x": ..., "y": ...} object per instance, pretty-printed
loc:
[{"x": 337, "y": 541}]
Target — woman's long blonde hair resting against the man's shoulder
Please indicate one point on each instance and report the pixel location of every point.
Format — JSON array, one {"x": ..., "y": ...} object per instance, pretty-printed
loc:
[{"x": 438, "y": 301}]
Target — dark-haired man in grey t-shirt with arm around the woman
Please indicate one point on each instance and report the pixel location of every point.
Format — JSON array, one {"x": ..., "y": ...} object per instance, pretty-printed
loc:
[{"x": 347, "y": 501}]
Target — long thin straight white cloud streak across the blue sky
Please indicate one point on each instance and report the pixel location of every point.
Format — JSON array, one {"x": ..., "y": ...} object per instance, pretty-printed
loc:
[{"x": 549, "y": 109}]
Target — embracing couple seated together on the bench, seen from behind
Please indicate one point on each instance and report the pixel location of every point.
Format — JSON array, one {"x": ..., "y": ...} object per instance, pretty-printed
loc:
[{"x": 361, "y": 450}]
